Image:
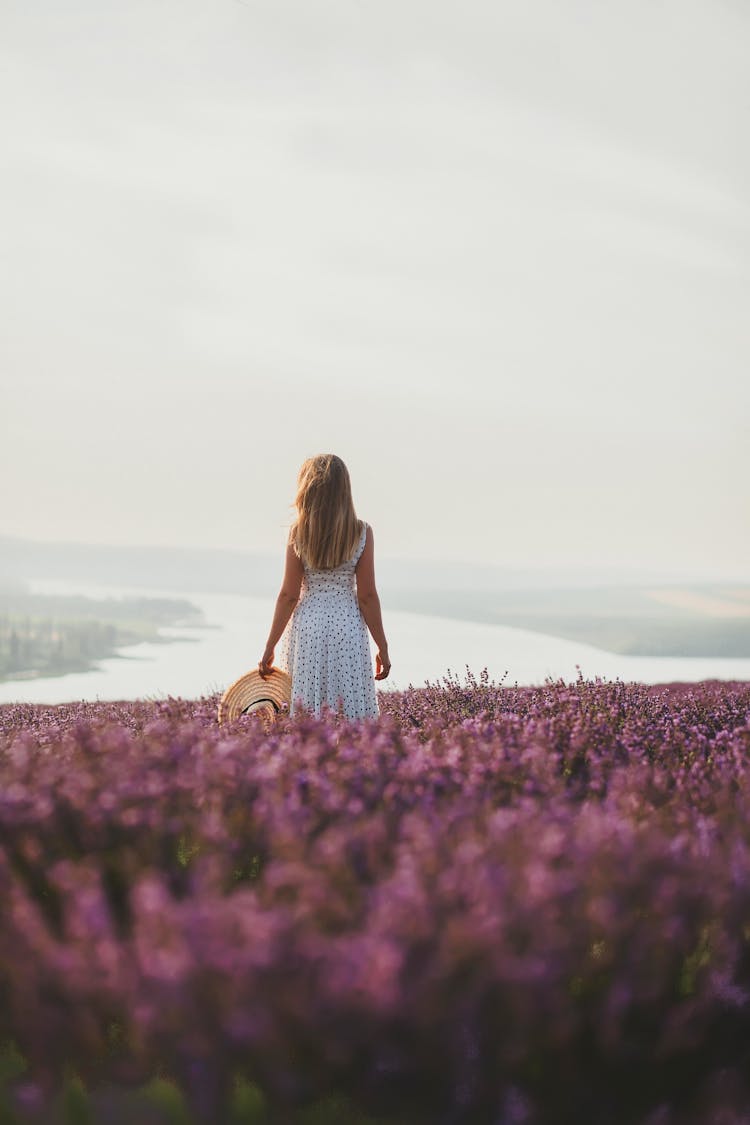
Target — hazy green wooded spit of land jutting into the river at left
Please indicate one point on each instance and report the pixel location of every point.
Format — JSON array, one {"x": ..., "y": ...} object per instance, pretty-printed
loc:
[{"x": 49, "y": 635}]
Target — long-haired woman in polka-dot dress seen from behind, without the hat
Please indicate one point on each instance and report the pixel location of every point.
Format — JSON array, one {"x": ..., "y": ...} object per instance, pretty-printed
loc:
[{"x": 329, "y": 599}]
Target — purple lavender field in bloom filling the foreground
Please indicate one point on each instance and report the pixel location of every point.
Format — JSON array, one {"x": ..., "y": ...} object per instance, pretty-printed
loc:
[{"x": 493, "y": 905}]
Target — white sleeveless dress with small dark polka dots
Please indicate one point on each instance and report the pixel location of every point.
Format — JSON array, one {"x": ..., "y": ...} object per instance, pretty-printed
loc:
[{"x": 326, "y": 647}]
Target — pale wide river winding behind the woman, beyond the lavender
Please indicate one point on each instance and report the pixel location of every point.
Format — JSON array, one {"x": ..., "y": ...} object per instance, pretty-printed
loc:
[{"x": 205, "y": 660}]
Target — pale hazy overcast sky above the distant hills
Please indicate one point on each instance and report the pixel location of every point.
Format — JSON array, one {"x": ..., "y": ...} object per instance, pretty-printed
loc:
[{"x": 496, "y": 256}]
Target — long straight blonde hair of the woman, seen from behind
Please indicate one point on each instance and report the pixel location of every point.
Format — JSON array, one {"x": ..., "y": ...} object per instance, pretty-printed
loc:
[{"x": 327, "y": 529}]
